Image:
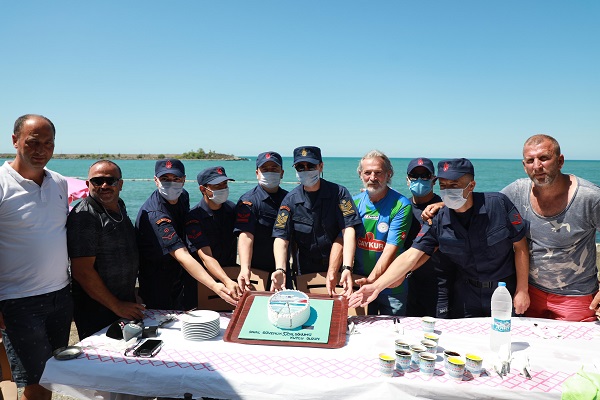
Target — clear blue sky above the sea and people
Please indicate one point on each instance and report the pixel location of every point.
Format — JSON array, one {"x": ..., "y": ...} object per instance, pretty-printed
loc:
[{"x": 412, "y": 78}]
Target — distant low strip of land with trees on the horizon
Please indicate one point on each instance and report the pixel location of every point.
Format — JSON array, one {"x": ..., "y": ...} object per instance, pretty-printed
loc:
[{"x": 199, "y": 154}]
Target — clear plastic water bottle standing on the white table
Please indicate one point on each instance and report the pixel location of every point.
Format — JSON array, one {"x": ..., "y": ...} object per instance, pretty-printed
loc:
[{"x": 501, "y": 314}]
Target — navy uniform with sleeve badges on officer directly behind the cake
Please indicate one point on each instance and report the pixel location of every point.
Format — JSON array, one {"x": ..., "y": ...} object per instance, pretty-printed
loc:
[{"x": 313, "y": 221}]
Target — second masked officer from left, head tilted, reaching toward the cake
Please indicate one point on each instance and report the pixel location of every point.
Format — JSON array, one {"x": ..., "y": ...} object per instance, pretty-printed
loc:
[{"x": 209, "y": 230}]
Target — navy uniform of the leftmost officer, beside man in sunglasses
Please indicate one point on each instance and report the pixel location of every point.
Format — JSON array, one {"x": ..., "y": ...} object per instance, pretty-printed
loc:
[{"x": 160, "y": 230}]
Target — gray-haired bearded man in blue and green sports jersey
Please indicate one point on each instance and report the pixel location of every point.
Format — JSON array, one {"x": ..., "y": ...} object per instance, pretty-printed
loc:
[{"x": 387, "y": 216}]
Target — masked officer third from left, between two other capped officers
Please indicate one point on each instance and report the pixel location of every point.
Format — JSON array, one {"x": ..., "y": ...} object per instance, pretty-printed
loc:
[{"x": 255, "y": 216}]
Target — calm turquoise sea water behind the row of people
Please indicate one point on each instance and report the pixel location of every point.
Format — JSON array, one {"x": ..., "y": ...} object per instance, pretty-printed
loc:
[{"x": 490, "y": 175}]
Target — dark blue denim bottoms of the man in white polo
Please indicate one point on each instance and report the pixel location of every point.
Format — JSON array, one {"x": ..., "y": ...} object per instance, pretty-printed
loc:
[{"x": 36, "y": 326}]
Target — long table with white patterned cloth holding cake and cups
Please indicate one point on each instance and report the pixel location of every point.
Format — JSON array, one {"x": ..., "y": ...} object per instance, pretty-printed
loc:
[{"x": 218, "y": 369}]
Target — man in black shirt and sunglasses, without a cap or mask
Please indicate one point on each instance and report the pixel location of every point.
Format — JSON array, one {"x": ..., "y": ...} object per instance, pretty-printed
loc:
[{"x": 104, "y": 257}]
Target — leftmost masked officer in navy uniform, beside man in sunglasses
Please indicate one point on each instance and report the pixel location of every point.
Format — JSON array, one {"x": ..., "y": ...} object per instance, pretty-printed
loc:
[{"x": 160, "y": 235}]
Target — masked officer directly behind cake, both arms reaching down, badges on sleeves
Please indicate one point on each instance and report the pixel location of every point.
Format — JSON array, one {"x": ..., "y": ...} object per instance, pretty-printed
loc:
[{"x": 314, "y": 215}]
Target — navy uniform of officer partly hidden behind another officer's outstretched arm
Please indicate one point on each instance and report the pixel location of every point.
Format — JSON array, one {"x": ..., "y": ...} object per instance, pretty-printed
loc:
[{"x": 429, "y": 282}]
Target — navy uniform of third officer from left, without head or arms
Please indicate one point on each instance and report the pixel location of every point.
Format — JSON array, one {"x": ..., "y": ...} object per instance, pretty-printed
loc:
[{"x": 255, "y": 213}]
